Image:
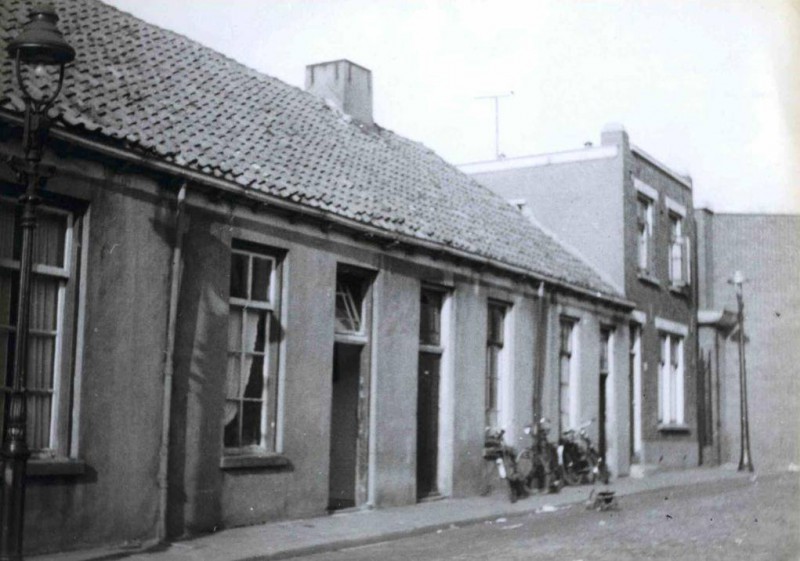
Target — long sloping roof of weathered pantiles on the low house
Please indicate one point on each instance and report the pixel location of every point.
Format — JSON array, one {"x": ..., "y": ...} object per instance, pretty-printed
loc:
[{"x": 156, "y": 92}]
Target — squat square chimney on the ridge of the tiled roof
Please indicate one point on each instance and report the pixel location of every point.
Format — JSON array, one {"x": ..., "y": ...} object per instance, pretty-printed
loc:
[{"x": 346, "y": 85}]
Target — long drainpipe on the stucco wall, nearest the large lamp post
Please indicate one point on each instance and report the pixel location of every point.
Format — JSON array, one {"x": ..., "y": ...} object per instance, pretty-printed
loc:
[{"x": 175, "y": 281}]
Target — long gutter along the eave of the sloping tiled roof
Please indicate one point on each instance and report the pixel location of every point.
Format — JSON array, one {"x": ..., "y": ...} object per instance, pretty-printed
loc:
[{"x": 256, "y": 196}]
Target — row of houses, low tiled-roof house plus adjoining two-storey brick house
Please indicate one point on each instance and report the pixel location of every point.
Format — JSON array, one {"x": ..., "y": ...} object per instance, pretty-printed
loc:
[{"x": 253, "y": 303}]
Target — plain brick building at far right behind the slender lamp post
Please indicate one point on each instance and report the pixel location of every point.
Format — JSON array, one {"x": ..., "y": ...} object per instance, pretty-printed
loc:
[{"x": 765, "y": 249}]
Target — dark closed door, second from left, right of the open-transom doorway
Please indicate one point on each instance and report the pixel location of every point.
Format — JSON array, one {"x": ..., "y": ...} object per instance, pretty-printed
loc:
[{"x": 427, "y": 424}]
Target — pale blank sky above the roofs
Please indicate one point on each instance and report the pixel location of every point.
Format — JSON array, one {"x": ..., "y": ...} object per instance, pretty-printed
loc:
[{"x": 709, "y": 87}]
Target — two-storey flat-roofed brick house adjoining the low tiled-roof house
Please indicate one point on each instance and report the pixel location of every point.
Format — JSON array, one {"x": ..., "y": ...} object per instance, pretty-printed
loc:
[{"x": 631, "y": 217}]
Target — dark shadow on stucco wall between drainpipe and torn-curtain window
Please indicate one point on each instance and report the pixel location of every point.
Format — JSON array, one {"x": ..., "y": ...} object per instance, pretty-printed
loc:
[{"x": 198, "y": 384}]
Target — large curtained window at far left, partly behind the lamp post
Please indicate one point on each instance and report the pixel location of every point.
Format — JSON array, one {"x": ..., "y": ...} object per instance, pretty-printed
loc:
[{"x": 53, "y": 305}]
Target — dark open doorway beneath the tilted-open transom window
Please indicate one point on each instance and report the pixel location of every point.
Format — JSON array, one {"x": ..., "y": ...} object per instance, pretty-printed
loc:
[{"x": 344, "y": 426}]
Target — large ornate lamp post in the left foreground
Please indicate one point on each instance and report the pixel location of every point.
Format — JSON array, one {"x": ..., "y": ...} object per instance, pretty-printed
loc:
[{"x": 38, "y": 51}]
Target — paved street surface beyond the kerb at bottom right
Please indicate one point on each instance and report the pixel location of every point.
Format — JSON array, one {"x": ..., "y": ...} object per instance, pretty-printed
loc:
[{"x": 725, "y": 520}]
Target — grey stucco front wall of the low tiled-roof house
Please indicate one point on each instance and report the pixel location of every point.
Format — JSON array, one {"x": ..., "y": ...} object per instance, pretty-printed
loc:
[{"x": 130, "y": 233}]
